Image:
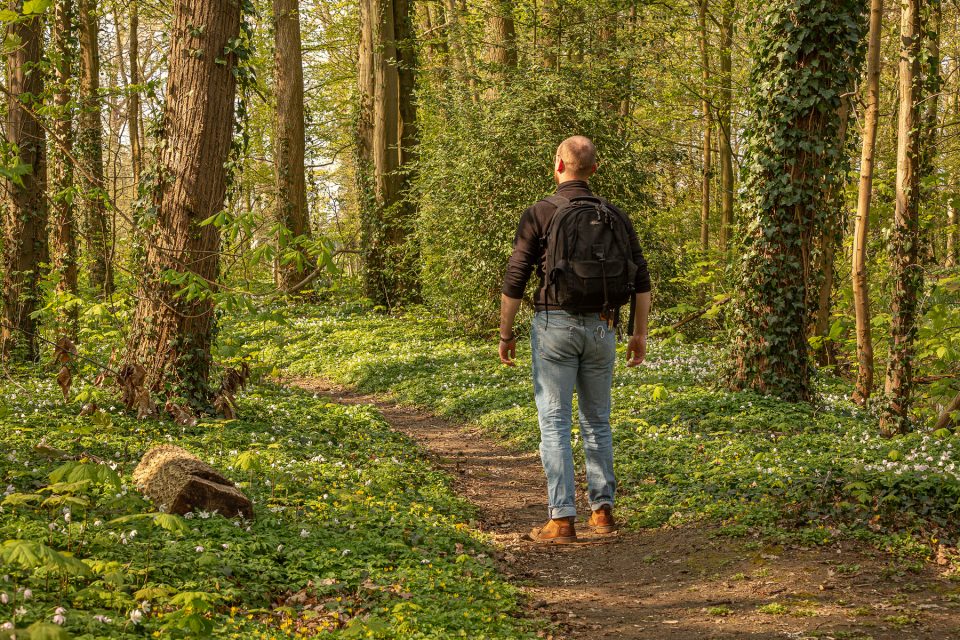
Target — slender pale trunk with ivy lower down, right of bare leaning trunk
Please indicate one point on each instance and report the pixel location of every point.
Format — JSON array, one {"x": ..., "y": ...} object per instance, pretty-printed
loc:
[{"x": 905, "y": 238}]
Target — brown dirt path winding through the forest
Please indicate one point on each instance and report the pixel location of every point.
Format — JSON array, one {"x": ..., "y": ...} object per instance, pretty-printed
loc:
[{"x": 672, "y": 583}]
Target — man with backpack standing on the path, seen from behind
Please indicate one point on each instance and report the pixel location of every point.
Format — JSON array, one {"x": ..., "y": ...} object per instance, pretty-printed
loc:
[{"x": 588, "y": 258}]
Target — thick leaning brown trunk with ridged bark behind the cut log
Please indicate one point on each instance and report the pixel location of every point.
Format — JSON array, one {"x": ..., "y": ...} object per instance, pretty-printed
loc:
[{"x": 171, "y": 334}]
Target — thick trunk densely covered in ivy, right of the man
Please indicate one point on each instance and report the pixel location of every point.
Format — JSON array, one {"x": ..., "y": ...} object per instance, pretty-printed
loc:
[{"x": 804, "y": 58}]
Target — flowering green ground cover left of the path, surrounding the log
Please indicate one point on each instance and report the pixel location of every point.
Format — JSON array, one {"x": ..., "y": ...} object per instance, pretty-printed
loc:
[{"x": 354, "y": 534}]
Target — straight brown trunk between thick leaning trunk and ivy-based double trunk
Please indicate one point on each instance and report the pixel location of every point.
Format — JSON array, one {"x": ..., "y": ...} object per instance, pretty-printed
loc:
[{"x": 289, "y": 143}]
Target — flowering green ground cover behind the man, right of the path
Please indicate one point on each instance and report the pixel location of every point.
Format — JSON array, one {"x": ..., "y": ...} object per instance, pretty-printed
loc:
[{"x": 686, "y": 450}]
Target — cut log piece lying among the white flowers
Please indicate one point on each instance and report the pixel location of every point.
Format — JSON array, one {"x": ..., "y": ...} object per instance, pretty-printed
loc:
[{"x": 179, "y": 482}]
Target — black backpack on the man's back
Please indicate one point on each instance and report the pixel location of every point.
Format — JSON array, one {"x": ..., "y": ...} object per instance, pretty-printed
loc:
[{"x": 589, "y": 262}]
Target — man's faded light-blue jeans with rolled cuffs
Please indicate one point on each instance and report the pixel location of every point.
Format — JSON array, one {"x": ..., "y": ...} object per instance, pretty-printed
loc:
[{"x": 574, "y": 351}]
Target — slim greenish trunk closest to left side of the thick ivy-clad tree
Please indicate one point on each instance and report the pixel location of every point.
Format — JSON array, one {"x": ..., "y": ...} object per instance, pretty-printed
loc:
[{"x": 725, "y": 125}]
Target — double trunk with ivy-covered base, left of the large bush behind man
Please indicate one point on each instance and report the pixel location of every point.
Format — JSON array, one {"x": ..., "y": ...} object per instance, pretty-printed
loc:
[{"x": 387, "y": 142}]
